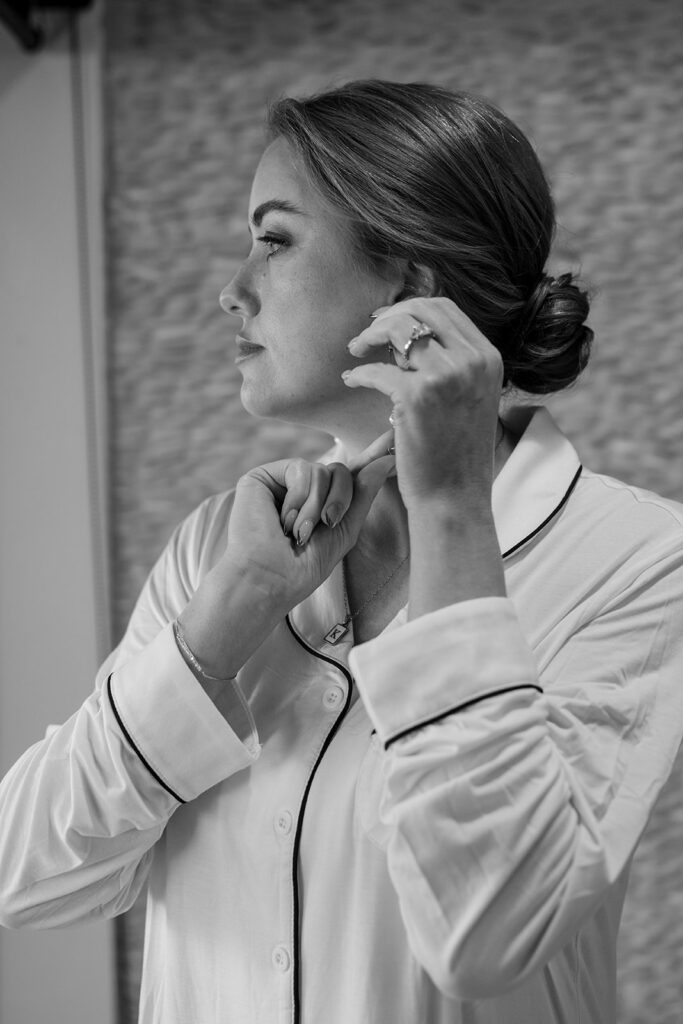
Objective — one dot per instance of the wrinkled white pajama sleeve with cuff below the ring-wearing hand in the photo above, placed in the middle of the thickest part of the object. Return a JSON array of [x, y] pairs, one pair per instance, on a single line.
[[517, 797]]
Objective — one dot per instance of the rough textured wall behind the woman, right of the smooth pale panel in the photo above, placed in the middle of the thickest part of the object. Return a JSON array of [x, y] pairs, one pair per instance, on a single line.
[[597, 84]]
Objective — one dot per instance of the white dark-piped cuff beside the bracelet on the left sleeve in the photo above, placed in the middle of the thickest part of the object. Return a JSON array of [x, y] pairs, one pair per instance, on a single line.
[[174, 726]]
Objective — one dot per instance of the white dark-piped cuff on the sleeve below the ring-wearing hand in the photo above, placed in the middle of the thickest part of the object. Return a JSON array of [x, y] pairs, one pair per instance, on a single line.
[[440, 663]]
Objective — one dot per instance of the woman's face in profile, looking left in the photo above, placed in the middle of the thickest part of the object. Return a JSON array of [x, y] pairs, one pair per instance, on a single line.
[[303, 295]]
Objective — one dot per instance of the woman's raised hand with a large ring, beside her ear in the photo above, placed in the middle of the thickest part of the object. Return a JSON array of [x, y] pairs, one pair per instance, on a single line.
[[446, 402]]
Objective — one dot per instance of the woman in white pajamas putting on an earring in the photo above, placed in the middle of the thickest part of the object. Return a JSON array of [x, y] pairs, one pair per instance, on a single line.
[[382, 735]]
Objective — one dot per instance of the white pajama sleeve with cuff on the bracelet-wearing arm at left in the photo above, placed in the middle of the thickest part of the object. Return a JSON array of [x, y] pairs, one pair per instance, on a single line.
[[82, 810]]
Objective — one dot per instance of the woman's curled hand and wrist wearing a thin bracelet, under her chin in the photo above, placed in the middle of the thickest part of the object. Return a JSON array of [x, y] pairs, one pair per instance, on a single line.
[[281, 548]]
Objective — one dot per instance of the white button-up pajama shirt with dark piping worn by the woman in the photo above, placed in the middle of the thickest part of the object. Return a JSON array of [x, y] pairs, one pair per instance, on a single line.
[[434, 827]]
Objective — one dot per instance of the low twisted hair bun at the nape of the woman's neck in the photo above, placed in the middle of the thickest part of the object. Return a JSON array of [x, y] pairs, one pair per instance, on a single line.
[[552, 344]]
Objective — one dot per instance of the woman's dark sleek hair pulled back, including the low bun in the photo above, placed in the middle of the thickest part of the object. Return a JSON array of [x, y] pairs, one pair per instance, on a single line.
[[445, 181]]
